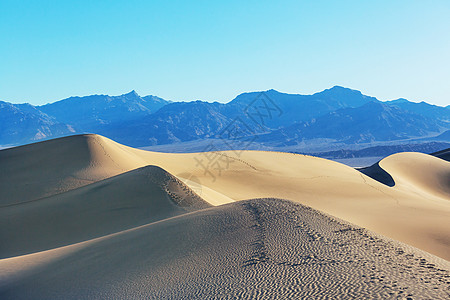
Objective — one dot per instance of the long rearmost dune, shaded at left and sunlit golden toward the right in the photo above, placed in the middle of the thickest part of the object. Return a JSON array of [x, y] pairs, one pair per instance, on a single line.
[[411, 211]]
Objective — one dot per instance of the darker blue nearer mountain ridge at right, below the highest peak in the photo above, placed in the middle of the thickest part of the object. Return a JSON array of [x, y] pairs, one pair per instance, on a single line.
[[373, 121]]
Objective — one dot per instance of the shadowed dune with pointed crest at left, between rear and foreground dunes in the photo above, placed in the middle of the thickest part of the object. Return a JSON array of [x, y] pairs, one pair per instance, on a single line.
[[125, 201]]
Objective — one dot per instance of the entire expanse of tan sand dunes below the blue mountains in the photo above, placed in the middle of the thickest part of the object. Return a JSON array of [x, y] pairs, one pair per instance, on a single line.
[[86, 216]]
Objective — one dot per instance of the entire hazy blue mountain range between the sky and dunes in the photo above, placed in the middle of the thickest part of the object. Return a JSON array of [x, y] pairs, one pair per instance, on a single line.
[[334, 116]]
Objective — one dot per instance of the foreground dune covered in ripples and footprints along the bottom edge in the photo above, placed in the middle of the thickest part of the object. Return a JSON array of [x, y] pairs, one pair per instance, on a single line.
[[257, 249]]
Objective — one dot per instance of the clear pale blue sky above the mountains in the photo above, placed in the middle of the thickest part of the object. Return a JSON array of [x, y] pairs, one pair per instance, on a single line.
[[211, 50]]
